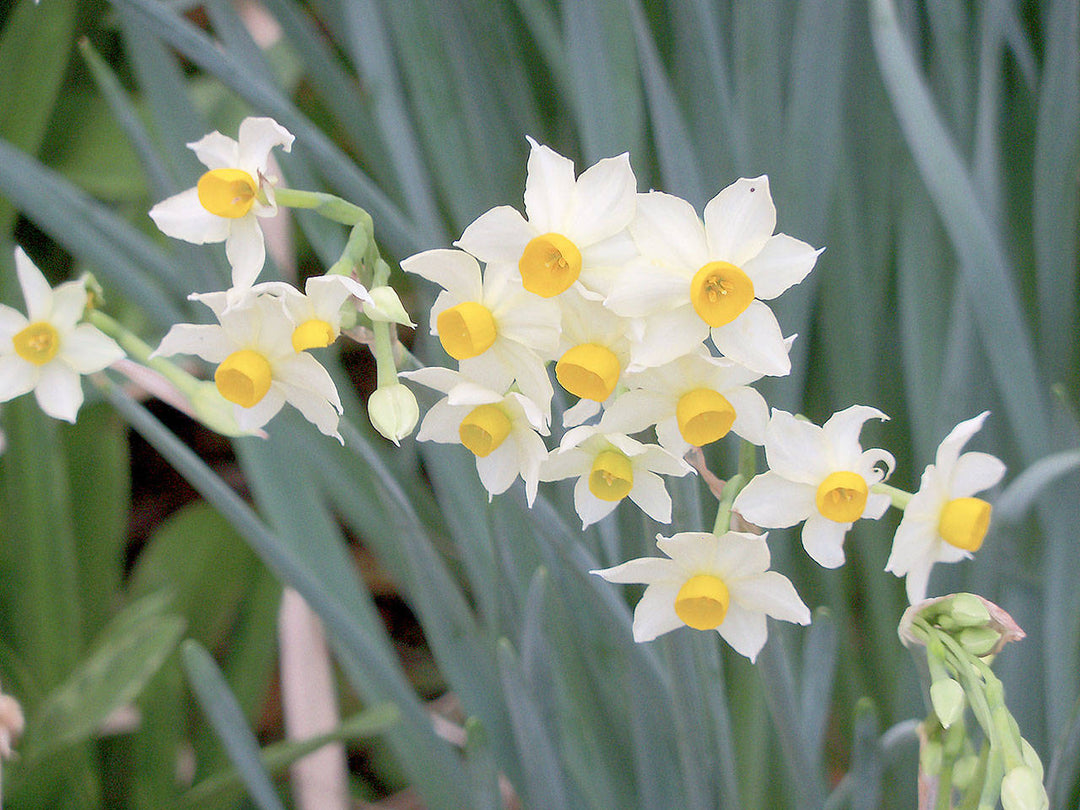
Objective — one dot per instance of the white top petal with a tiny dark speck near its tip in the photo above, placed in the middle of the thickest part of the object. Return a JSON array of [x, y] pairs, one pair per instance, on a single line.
[[740, 220]]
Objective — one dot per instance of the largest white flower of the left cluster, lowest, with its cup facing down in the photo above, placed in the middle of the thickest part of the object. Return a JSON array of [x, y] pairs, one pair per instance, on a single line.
[[259, 368]]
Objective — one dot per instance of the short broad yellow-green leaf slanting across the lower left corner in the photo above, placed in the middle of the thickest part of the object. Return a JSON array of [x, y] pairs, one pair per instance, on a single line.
[[126, 657]]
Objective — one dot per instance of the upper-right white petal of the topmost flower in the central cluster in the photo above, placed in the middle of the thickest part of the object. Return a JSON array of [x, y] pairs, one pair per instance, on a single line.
[[604, 201]]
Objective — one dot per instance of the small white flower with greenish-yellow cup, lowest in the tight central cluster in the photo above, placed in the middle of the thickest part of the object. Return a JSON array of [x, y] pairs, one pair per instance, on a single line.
[[611, 467]]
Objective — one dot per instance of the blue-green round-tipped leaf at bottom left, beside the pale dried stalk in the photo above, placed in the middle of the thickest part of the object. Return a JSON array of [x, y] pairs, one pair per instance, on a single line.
[[222, 710]]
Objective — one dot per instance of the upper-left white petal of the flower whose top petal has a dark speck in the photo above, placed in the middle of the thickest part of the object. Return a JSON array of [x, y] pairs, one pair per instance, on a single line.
[[668, 228]]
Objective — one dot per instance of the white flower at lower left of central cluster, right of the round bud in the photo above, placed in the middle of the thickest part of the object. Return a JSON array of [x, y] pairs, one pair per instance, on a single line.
[[503, 431]]
